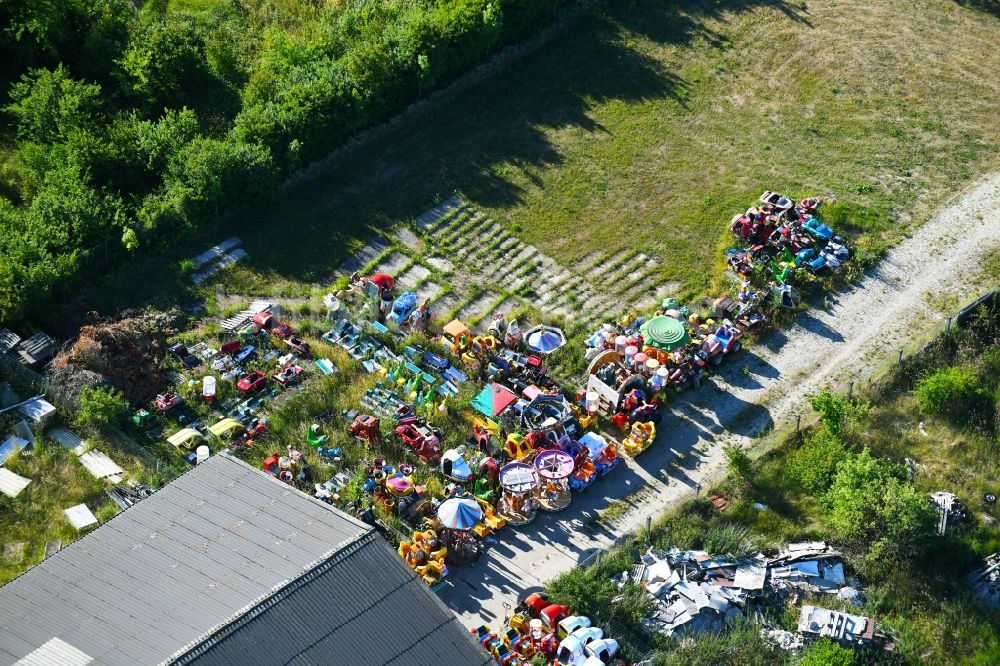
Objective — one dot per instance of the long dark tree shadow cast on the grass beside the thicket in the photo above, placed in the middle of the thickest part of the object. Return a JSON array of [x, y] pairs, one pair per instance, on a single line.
[[469, 143]]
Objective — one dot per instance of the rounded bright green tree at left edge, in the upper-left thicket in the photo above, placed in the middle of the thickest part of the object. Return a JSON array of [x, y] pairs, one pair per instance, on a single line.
[[48, 105]]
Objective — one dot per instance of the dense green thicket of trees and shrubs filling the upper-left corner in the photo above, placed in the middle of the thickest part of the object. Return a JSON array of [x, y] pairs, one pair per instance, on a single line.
[[157, 119]]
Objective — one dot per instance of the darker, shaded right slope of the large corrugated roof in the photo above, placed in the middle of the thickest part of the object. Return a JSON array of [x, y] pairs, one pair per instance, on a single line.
[[363, 606]]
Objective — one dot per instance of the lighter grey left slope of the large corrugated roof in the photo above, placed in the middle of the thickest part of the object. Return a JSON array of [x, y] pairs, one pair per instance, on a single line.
[[174, 568]]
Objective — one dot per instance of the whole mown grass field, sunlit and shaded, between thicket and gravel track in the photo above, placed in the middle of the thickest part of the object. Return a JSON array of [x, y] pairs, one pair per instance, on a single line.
[[646, 125]]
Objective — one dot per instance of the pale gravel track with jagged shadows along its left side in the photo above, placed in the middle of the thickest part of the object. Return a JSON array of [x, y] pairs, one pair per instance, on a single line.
[[758, 391]]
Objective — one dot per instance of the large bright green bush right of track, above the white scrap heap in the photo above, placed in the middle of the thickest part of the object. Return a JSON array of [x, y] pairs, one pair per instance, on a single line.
[[876, 513]]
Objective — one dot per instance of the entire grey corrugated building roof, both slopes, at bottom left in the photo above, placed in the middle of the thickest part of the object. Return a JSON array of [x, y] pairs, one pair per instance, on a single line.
[[227, 563]]
